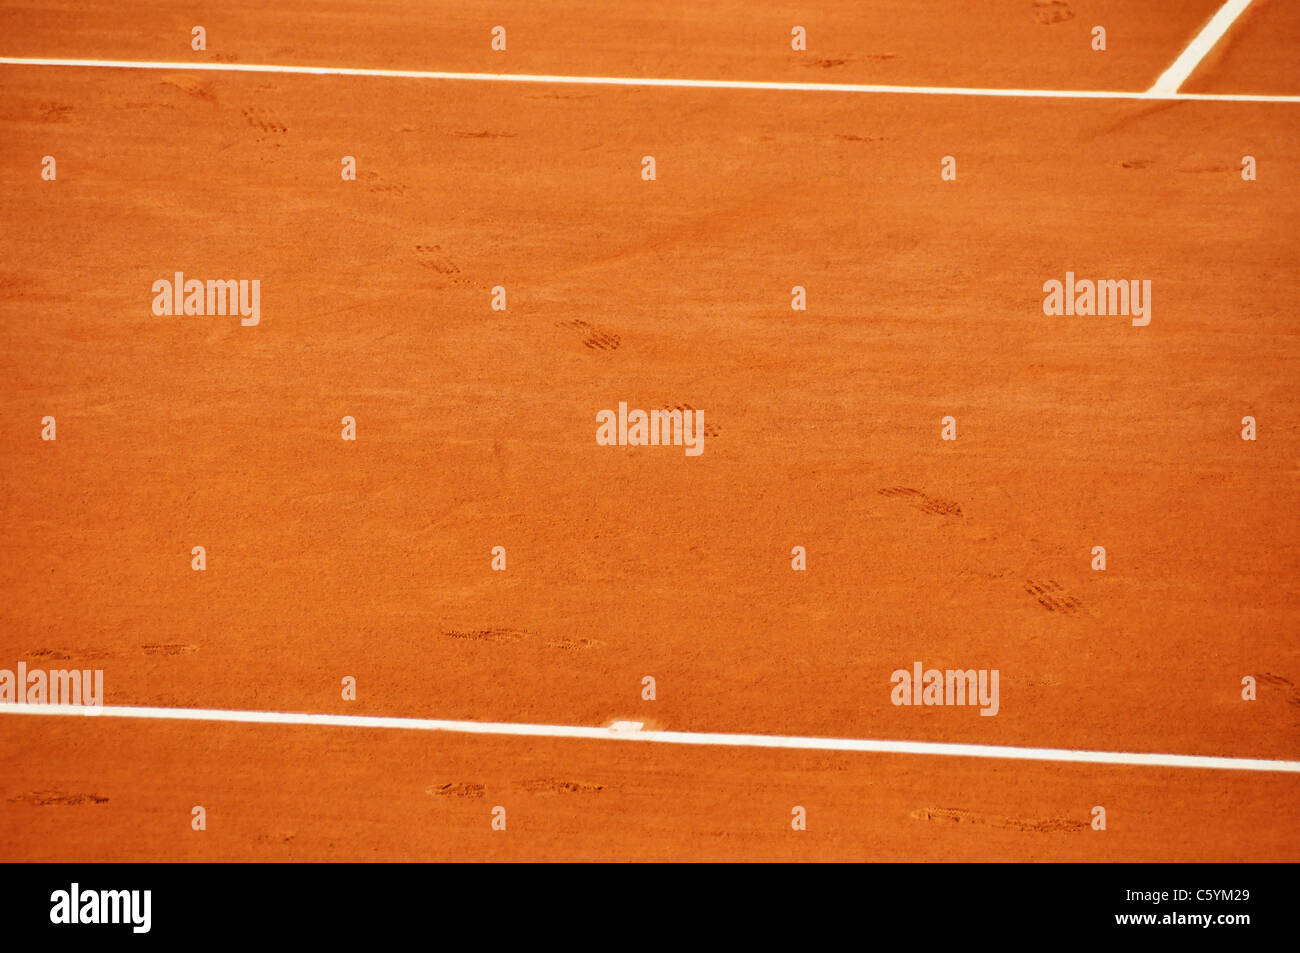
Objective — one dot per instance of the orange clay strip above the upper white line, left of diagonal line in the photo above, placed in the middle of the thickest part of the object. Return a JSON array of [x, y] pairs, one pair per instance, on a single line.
[[1015, 44]]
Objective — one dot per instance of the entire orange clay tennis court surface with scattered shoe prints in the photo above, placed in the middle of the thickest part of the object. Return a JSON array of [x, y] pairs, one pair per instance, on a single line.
[[328, 558]]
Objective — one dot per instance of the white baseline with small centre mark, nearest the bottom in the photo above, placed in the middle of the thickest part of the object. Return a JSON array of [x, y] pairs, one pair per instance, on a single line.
[[668, 738]]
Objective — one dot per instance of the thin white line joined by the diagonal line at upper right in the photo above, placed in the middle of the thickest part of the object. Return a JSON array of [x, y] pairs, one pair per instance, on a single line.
[[647, 81]]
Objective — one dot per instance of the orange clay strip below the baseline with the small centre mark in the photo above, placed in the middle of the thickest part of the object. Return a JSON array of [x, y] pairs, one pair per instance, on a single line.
[[276, 794]]
